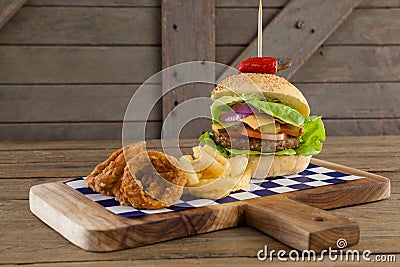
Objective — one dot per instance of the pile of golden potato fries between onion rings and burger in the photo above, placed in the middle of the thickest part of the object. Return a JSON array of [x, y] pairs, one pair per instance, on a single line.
[[211, 175]]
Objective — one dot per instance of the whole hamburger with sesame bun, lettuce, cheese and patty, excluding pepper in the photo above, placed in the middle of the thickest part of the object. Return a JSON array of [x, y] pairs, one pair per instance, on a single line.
[[267, 118]]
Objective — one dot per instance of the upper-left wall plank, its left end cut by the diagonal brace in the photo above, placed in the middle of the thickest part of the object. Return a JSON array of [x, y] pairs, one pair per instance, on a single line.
[[82, 25]]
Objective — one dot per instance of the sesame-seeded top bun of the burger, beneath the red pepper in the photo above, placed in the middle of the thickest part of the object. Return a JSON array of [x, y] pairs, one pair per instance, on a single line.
[[272, 87]]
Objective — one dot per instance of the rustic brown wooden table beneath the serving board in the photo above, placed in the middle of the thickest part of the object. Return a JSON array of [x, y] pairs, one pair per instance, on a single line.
[[26, 240]]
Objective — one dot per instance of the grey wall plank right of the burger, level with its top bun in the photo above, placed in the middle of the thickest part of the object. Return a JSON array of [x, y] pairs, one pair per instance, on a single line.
[[336, 100]]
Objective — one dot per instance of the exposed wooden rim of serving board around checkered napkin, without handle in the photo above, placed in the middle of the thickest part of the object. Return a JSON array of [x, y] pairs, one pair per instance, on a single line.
[[113, 232]]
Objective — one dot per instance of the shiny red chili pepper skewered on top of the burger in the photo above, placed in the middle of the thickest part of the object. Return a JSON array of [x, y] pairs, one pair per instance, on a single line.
[[268, 65]]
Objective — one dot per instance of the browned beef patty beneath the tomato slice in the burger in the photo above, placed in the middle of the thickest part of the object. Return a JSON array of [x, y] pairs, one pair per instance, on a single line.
[[256, 144]]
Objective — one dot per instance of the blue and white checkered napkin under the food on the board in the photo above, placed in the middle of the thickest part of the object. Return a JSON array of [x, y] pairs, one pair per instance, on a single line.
[[313, 176]]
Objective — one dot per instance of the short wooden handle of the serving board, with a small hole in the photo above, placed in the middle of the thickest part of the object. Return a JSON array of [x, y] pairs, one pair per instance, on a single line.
[[301, 226]]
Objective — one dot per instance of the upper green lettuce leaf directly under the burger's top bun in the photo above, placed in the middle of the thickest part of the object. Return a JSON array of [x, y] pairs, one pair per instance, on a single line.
[[278, 110]]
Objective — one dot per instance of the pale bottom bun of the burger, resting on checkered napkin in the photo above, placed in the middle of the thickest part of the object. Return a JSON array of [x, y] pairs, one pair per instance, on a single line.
[[270, 166]]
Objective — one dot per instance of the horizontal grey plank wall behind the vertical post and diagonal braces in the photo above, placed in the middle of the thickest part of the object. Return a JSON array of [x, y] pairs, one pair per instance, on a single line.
[[68, 68]]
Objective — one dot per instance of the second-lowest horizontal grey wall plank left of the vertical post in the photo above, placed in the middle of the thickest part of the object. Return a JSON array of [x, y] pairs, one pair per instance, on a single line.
[[47, 103]]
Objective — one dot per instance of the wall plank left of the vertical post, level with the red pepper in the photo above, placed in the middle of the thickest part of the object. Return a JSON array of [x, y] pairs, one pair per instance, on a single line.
[[77, 64]]
